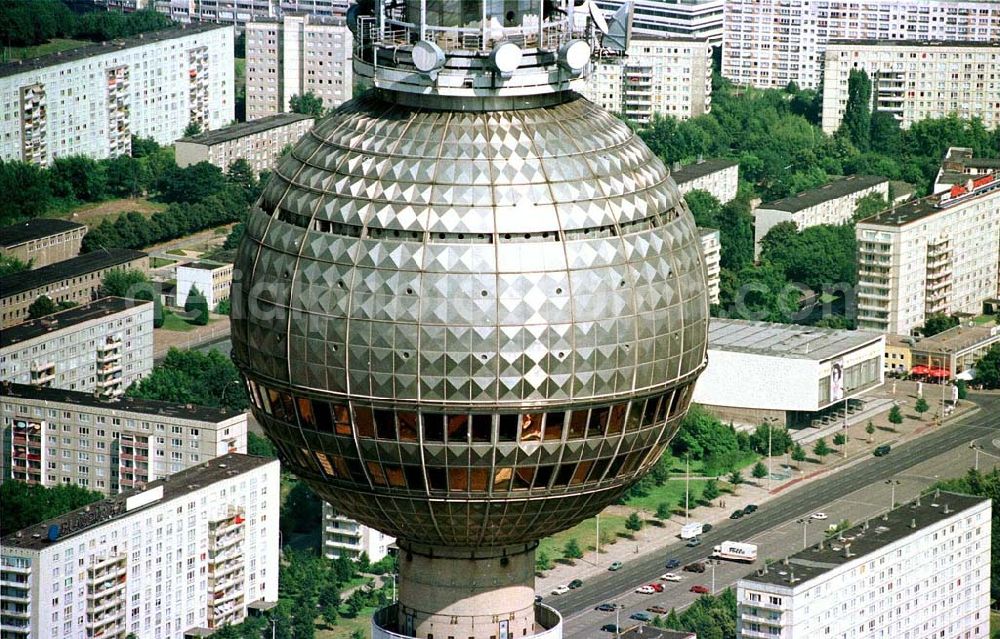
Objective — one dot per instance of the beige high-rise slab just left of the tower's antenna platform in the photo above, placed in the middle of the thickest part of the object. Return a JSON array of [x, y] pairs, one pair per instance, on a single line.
[[296, 55]]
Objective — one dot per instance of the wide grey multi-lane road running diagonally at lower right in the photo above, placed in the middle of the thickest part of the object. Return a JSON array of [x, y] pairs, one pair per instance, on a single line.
[[937, 454]]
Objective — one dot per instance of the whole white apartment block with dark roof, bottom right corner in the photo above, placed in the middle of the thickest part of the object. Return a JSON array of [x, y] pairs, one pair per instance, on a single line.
[[921, 570]]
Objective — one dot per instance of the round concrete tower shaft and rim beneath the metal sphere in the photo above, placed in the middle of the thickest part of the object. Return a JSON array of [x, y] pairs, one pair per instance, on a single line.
[[479, 593]]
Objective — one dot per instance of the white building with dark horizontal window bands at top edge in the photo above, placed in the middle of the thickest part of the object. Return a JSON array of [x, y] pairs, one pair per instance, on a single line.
[[674, 18]]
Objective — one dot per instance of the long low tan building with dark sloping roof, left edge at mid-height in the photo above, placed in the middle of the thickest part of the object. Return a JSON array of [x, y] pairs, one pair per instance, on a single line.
[[74, 280]]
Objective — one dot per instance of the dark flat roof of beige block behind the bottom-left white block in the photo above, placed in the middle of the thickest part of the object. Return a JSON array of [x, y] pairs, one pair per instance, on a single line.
[[130, 404]]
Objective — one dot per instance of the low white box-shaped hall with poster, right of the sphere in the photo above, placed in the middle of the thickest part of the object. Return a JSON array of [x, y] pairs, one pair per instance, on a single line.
[[761, 370]]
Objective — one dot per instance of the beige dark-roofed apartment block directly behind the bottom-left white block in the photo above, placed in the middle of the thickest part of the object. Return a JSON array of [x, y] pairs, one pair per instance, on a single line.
[[52, 436]]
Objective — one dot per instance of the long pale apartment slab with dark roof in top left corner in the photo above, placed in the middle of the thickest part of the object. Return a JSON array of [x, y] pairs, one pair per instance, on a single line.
[[91, 101]]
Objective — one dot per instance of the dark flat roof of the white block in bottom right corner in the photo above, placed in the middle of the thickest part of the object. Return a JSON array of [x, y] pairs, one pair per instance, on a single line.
[[866, 538]]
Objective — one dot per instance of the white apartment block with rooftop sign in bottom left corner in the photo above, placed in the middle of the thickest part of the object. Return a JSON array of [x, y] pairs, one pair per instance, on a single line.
[[183, 557]]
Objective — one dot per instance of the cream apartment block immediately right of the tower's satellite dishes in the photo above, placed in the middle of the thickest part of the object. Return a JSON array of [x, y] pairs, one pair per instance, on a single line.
[[658, 75]]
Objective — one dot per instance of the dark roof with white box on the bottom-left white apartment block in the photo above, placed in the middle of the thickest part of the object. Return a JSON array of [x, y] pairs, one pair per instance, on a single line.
[[99, 513]]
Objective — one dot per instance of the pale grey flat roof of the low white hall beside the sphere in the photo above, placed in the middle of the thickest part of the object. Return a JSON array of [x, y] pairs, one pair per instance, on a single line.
[[785, 340]]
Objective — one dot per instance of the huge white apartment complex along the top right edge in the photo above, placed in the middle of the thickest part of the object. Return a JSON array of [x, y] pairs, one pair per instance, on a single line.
[[768, 43]]
